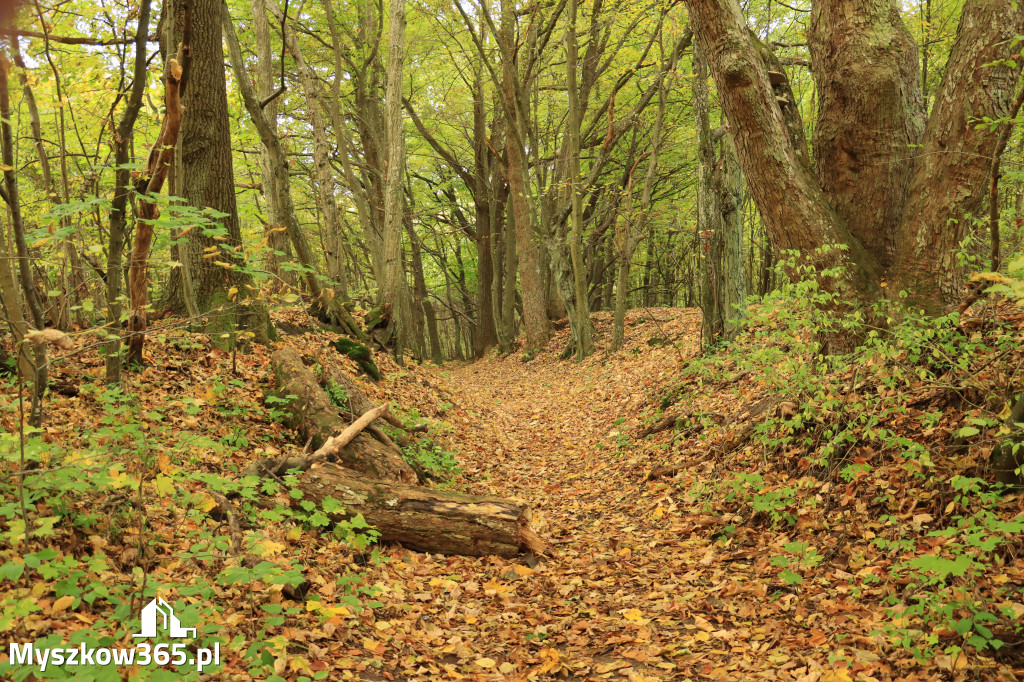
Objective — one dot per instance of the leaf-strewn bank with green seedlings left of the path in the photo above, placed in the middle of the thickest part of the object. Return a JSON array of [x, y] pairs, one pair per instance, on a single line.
[[119, 498]]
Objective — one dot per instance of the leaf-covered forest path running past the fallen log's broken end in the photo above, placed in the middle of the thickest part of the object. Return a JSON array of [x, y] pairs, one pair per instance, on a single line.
[[634, 588]]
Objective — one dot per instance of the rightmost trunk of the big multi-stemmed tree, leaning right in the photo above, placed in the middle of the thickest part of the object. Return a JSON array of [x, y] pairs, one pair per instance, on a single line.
[[949, 183]]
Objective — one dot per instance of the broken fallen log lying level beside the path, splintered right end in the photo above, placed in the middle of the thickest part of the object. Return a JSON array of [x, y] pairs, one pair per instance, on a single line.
[[425, 520]]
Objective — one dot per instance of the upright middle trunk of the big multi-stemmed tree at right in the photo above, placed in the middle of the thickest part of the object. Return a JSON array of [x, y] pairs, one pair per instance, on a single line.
[[870, 115]]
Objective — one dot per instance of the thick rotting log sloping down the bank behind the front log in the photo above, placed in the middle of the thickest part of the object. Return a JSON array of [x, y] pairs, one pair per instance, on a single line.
[[318, 420]]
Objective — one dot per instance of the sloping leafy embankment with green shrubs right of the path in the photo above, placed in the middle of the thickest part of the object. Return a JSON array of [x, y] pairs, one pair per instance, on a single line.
[[871, 467]]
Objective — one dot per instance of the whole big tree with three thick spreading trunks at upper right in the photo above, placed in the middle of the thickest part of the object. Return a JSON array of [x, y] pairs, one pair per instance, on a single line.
[[897, 193]]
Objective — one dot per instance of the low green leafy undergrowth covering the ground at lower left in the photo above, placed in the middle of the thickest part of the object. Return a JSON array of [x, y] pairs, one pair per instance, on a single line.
[[99, 526]]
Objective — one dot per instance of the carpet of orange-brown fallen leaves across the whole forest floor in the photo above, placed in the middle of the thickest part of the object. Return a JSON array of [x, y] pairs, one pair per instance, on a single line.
[[654, 571]]
